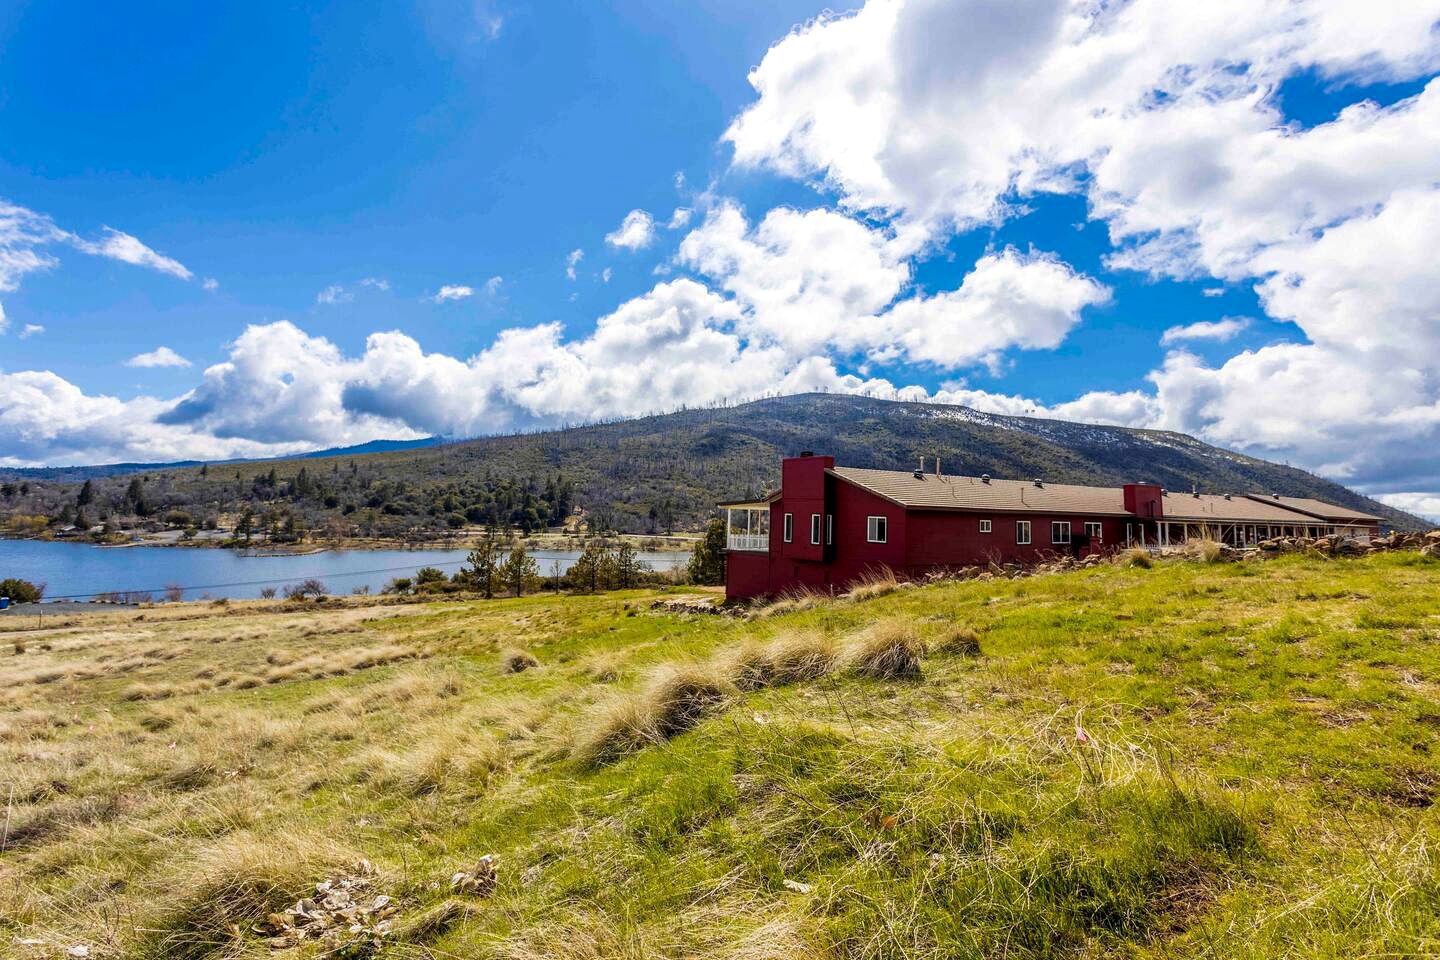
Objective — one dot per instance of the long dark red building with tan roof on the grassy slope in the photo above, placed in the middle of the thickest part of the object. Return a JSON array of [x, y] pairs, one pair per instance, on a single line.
[[829, 526]]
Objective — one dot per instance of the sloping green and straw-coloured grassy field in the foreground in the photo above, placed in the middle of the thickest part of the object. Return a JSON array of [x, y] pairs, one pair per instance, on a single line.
[[1233, 761]]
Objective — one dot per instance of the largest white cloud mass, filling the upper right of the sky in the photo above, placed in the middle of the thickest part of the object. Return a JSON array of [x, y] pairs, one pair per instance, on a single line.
[[938, 116]]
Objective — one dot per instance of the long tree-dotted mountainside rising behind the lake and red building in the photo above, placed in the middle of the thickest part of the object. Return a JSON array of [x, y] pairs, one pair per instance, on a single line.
[[649, 476]]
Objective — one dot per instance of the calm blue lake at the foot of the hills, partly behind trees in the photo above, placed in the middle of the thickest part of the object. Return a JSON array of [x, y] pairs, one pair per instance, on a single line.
[[84, 571]]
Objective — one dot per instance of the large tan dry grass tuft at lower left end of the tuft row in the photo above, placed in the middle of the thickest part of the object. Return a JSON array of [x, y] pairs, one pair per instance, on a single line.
[[676, 700]]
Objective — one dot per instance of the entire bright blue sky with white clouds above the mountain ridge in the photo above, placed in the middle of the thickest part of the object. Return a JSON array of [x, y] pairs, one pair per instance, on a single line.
[[977, 234]]
